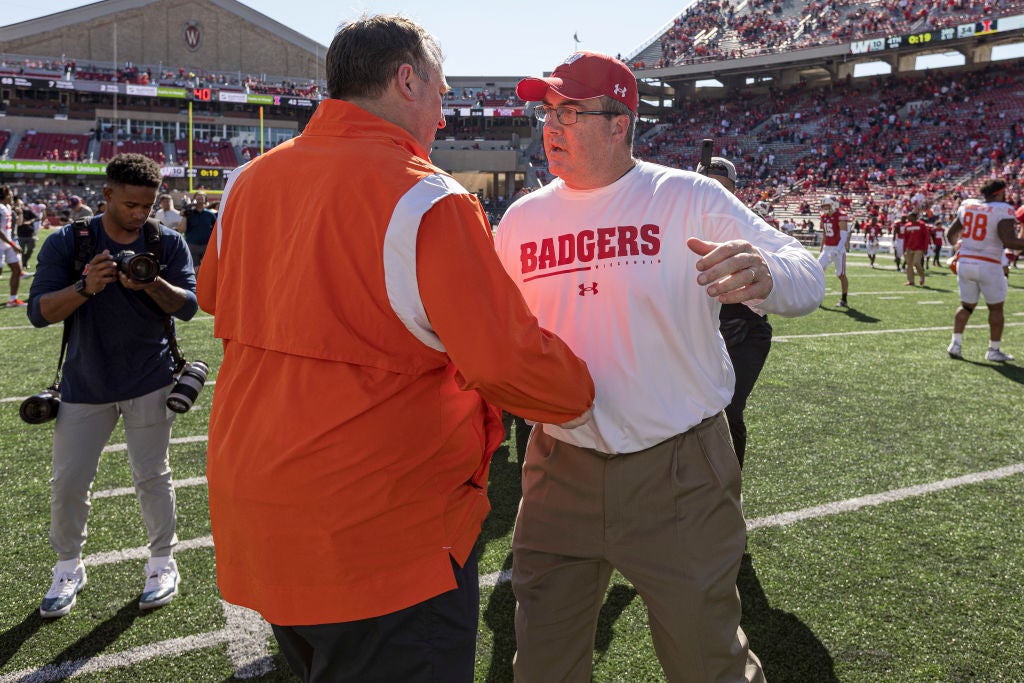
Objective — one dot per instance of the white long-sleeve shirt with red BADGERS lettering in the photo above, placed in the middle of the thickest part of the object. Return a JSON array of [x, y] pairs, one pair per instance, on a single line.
[[609, 271]]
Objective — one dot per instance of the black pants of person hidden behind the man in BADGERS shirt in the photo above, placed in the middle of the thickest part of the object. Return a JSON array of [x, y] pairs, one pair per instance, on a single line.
[[749, 341]]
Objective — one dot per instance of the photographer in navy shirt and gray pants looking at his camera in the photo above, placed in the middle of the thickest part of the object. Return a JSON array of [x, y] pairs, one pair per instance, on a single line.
[[119, 363]]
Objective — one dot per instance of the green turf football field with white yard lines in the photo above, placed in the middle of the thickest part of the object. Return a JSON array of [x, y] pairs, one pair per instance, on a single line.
[[884, 491]]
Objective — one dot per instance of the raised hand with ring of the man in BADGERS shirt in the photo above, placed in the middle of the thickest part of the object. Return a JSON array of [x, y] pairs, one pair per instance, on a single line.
[[733, 272]]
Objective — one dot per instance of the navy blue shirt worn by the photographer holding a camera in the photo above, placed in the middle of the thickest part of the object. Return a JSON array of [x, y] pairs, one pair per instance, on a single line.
[[118, 348]]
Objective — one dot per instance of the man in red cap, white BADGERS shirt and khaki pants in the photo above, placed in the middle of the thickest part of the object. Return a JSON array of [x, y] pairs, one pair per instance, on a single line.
[[629, 263]]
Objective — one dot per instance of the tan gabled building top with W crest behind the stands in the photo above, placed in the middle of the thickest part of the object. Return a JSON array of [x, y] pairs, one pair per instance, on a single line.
[[215, 35]]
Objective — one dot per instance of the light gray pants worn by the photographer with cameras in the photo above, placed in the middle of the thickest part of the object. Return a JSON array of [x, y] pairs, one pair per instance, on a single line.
[[81, 433]]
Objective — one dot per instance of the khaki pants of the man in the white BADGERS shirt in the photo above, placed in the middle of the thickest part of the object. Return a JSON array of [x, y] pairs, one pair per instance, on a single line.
[[668, 519]]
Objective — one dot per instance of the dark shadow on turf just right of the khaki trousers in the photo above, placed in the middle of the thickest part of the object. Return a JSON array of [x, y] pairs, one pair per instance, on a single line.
[[788, 649]]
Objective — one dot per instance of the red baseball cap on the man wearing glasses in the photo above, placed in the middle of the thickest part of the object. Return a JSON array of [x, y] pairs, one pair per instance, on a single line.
[[583, 76]]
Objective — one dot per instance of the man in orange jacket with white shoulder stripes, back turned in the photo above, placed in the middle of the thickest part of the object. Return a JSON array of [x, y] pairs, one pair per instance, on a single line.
[[359, 400]]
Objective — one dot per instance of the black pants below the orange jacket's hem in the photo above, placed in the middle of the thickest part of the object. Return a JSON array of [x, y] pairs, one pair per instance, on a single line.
[[431, 643]]
